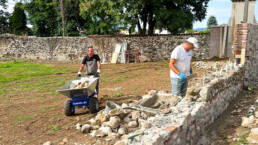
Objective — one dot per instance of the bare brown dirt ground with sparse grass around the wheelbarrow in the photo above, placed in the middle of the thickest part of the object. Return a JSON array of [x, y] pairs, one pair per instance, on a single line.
[[31, 112]]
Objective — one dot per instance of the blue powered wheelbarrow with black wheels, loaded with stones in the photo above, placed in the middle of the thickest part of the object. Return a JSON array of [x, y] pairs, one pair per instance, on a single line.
[[80, 95]]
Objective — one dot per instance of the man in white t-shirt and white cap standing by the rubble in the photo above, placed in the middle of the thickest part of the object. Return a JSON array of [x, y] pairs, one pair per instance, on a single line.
[[180, 66]]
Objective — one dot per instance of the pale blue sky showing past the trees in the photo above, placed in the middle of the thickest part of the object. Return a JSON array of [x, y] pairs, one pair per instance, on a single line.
[[221, 9]]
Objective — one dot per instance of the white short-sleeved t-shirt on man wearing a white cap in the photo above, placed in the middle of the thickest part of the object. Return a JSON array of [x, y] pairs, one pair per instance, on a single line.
[[183, 61]]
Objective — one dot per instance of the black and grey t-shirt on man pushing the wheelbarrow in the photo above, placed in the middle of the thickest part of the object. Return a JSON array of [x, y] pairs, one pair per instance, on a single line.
[[91, 64]]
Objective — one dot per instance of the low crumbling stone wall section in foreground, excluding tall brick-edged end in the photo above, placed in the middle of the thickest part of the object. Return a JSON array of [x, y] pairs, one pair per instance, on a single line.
[[188, 119]]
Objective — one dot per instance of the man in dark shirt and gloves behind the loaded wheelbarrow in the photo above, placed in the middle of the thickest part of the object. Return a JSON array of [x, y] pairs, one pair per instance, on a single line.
[[93, 65]]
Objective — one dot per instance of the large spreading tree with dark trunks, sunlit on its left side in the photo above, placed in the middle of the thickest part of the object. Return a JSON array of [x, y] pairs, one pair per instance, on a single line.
[[145, 16]]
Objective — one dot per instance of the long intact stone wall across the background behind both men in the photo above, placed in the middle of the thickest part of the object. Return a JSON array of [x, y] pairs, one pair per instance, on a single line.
[[151, 48]]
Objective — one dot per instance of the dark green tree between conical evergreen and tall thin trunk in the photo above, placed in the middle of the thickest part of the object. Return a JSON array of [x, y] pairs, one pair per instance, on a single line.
[[45, 18]]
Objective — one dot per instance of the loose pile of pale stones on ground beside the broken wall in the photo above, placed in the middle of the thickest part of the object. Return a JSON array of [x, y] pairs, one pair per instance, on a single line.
[[115, 120]]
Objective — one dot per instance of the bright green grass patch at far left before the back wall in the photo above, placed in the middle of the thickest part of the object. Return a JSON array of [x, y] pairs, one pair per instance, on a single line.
[[21, 70]]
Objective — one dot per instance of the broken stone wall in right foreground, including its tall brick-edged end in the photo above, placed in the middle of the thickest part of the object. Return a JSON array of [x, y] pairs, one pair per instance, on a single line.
[[189, 118]]
